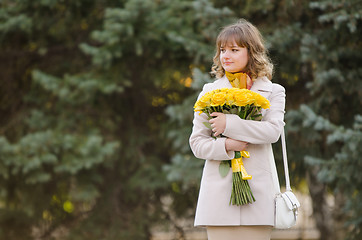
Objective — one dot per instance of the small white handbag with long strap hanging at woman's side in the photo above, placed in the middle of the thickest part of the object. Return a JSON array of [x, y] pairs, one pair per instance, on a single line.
[[286, 204]]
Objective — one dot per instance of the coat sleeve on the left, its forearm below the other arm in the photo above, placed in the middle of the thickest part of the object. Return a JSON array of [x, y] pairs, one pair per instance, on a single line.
[[202, 144]]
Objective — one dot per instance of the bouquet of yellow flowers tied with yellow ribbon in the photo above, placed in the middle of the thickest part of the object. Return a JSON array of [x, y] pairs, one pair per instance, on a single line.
[[247, 105]]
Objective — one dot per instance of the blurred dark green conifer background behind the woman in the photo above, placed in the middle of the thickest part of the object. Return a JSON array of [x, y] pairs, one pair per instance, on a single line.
[[96, 107]]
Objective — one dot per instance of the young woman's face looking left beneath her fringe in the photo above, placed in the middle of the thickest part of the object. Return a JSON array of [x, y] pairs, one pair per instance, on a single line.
[[233, 58]]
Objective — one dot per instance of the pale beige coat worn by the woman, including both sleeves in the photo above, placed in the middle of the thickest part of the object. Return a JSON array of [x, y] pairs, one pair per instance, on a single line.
[[213, 207]]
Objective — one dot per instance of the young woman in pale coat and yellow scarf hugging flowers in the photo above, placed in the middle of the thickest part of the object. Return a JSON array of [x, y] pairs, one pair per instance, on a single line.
[[239, 49]]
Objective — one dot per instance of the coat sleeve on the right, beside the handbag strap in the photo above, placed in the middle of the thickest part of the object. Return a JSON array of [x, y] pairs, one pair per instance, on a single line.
[[260, 132]]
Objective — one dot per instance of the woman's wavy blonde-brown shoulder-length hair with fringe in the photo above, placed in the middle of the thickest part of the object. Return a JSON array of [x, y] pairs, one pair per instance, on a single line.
[[245, 35]]
